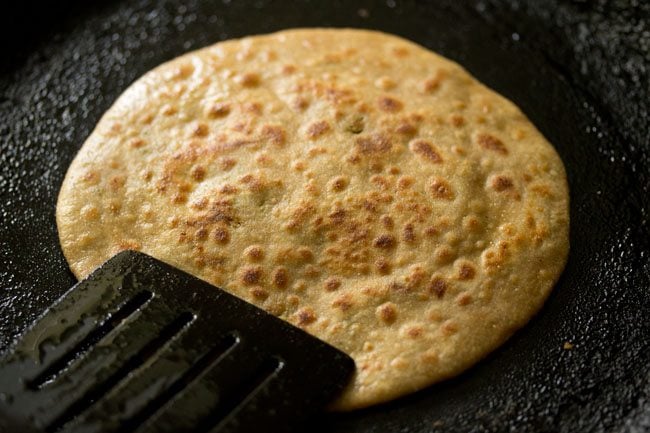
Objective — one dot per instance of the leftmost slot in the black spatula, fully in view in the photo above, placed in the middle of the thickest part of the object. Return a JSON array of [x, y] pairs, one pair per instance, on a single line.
[[112, 322]]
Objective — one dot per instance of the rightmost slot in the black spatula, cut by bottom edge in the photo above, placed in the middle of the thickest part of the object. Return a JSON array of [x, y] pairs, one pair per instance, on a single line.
[[249, 386]]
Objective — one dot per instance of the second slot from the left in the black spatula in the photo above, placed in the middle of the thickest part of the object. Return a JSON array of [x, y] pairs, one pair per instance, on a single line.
[[98, 391]]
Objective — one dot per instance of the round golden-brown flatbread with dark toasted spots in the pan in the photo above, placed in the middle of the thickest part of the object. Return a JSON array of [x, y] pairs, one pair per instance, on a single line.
[[350, 182]]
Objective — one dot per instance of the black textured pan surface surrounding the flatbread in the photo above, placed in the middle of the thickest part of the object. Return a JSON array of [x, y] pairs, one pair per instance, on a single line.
[[578, 69]]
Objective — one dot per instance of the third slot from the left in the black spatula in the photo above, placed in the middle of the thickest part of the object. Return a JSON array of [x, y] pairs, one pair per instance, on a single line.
[[221, 349]]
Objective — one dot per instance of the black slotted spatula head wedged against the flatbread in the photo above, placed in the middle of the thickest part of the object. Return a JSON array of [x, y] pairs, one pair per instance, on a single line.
[[141, 346]]
